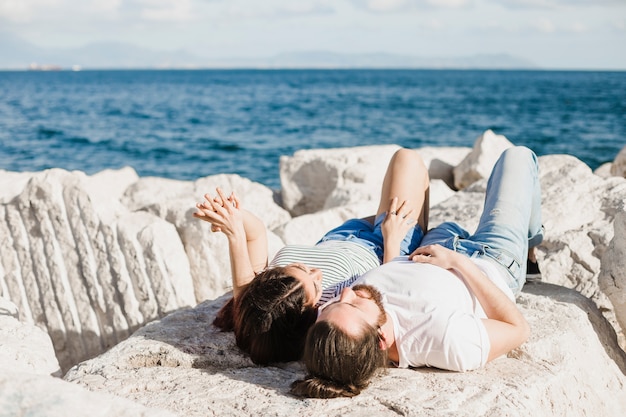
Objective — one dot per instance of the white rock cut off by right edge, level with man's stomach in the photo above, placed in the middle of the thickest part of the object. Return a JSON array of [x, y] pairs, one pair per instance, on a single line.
[[612, 279]]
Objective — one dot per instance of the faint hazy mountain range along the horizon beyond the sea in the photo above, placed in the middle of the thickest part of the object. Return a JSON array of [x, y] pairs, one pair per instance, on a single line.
[[16, 53]]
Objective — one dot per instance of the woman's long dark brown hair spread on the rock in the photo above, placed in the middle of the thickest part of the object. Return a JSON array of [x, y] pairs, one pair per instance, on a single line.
[[270, 317]]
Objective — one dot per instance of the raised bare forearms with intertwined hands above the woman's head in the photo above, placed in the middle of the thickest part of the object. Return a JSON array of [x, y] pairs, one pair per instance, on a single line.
[[246, 234]]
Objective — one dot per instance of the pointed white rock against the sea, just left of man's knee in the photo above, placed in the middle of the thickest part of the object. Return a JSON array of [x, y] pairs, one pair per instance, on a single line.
[[480, 161]]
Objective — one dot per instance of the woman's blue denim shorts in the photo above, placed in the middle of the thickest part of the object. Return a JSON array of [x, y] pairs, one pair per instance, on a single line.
[[371, 236]]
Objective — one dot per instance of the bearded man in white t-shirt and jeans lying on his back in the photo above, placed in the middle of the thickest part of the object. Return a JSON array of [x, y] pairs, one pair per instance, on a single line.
[[450, 304]]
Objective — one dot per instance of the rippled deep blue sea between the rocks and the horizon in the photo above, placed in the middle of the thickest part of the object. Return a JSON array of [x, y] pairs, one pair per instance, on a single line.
[[189, 124]]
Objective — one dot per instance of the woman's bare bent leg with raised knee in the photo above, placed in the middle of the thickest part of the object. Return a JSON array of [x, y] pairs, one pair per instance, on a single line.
[[407, 179]]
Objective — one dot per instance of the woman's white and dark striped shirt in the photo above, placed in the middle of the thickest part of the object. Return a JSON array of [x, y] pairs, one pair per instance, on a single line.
[[340, 261]]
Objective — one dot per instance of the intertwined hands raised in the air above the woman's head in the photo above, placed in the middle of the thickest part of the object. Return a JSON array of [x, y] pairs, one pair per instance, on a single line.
[[222, 212]]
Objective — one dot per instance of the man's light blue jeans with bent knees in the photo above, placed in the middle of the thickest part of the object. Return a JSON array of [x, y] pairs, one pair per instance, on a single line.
[[511, 219]]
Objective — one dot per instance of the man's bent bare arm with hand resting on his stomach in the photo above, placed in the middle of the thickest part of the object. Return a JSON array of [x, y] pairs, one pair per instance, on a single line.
[[506, 326]]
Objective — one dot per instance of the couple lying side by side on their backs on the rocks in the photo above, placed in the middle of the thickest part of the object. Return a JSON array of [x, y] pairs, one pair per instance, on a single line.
[[379, 291]]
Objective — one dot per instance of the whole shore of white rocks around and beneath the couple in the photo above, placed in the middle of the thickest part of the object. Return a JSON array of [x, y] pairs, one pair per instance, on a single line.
[[108, 287]]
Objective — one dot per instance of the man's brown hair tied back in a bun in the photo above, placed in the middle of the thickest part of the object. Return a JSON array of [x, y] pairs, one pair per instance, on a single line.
[[339, 365]]
